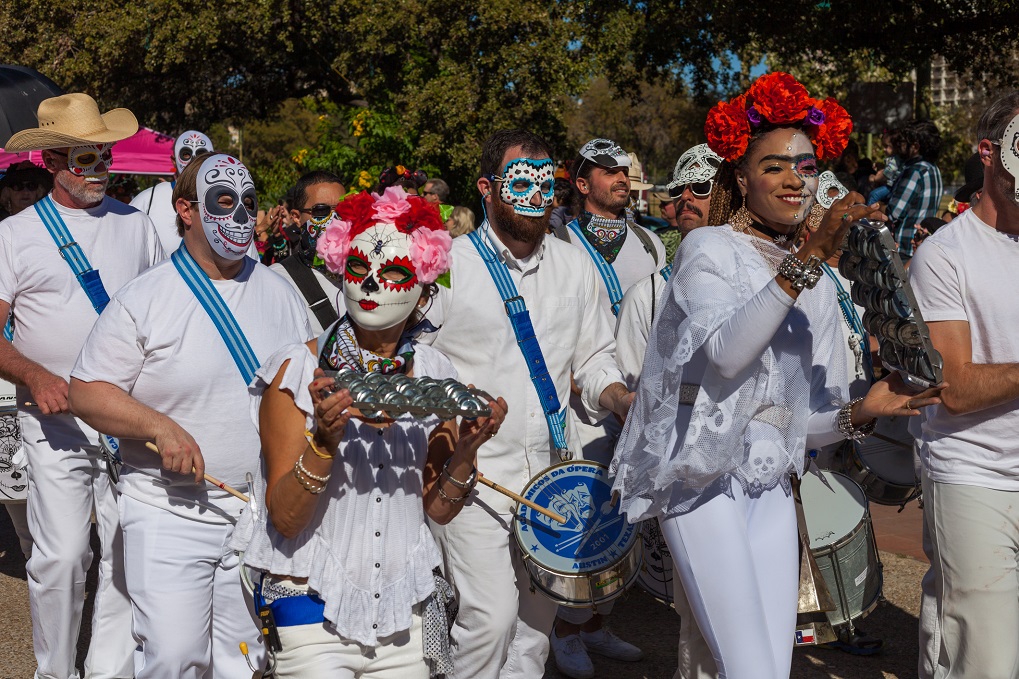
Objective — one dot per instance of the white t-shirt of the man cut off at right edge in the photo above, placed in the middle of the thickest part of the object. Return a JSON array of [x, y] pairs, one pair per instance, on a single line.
[[967, 273]]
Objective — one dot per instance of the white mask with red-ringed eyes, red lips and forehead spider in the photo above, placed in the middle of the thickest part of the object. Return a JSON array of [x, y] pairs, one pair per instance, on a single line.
[[382, 287]]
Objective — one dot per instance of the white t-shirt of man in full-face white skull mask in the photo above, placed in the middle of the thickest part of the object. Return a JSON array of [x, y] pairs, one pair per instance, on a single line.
[[158, 344]]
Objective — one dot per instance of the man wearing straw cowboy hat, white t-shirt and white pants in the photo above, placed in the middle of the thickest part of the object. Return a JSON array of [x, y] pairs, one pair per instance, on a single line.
[[60, 263]]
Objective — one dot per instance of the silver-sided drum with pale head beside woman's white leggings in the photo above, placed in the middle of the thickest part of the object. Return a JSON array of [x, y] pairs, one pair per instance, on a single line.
[[842, 541]]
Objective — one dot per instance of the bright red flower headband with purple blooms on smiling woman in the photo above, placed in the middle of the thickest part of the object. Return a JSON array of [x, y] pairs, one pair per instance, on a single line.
[[777, 99]]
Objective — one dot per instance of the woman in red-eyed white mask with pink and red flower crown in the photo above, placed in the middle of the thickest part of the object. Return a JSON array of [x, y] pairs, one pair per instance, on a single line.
[[346, 494]]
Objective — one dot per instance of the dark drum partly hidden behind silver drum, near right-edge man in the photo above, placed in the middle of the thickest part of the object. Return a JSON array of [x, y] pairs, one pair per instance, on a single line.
[[884, 469]]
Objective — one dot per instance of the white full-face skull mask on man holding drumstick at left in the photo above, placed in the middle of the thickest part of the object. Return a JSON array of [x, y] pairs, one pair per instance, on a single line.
[[230, 230]]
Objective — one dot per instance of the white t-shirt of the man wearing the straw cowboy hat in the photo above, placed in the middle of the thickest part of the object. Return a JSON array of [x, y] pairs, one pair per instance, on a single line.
[[52, 314]]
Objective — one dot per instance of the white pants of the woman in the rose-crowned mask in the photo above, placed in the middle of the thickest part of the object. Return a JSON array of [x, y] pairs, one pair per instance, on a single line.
[[317, 652]]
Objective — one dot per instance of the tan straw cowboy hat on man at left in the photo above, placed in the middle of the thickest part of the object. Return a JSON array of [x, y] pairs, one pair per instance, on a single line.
[[74, 120]]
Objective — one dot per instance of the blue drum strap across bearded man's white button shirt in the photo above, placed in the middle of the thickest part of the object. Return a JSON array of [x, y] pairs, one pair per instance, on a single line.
[[520, 320]]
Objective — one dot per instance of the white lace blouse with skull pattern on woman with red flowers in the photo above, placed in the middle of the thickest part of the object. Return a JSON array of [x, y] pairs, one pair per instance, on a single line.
[[771, 372]]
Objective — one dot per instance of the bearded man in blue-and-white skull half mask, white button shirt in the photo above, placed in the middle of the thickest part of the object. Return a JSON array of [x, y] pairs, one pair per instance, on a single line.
[[503, 626]]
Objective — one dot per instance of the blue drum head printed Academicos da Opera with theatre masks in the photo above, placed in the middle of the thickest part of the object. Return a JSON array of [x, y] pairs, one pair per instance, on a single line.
[[596, 535]]
